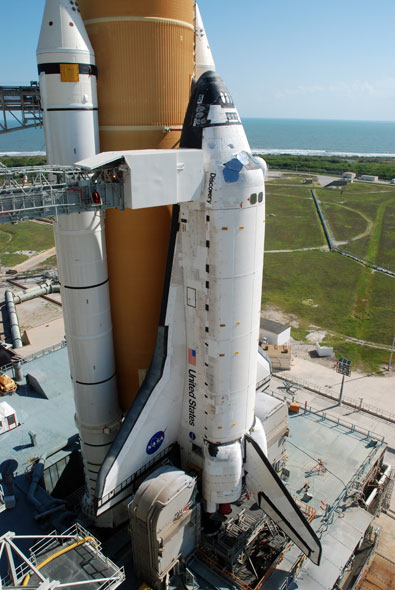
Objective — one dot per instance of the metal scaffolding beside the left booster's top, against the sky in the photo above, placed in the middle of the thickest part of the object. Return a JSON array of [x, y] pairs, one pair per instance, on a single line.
[[20, 105]]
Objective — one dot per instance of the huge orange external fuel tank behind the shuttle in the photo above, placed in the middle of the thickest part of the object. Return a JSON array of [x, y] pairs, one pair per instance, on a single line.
[[145, 58]]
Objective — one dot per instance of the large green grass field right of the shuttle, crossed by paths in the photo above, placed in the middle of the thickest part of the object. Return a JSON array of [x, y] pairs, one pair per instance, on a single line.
[[324, 289]]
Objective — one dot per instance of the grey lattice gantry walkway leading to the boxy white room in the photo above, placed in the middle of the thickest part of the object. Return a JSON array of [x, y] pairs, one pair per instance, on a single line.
[[48, 191]]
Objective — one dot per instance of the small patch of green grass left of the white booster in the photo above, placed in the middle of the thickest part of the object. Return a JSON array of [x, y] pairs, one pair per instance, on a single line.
[[21, 237]]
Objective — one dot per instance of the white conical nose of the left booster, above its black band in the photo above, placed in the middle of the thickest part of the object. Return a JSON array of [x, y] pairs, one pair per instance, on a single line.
[[63, 36]]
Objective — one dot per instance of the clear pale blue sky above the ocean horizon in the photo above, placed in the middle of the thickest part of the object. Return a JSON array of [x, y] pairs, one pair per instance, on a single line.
[[328, 59]]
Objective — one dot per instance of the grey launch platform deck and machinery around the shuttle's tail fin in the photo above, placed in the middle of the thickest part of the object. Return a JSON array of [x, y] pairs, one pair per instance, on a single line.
[[327, 470]]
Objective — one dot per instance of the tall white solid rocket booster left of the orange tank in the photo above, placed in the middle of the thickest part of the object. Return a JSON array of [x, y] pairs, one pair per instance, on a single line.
[[67, 70]]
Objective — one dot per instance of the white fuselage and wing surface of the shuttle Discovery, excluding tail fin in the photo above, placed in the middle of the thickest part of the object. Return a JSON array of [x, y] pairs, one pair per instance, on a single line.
[[217, 398]]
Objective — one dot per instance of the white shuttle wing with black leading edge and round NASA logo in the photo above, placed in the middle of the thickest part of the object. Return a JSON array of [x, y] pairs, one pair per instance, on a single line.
[[152, 423]]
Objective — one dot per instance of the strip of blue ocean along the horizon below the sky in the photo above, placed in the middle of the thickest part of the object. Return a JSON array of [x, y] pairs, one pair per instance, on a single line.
[[271, 136]]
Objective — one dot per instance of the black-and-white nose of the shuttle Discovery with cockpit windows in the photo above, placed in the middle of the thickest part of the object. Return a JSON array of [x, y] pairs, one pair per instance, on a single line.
[[210, 105]]
